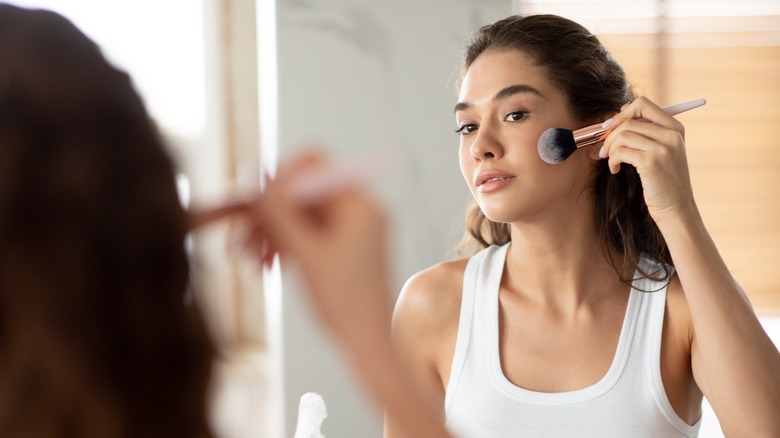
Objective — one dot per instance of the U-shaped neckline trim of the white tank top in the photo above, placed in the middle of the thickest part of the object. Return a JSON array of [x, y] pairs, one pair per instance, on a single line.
[[578, 395]]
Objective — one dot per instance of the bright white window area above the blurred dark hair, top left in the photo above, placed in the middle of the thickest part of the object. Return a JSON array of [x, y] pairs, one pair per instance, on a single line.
[[159, 43]]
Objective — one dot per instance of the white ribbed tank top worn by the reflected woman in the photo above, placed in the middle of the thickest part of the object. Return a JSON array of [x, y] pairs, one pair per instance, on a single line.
[[629, 401]]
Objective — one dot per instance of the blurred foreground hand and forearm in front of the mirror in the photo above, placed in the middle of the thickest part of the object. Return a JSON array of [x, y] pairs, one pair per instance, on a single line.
[[339, 246]]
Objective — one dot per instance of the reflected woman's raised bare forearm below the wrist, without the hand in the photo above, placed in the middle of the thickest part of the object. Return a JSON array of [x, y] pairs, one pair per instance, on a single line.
[[734, 362]]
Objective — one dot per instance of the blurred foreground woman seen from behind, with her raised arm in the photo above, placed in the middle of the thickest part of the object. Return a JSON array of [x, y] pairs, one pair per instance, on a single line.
[[96, 336]]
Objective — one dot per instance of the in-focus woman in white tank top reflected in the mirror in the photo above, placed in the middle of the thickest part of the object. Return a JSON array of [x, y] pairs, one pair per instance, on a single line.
[[599, 305]]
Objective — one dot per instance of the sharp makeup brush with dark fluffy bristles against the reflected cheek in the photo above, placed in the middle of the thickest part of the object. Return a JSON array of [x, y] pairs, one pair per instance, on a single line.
[[556, 144]]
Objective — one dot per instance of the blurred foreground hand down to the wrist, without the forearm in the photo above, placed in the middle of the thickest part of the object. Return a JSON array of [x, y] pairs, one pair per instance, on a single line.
[[339, 245]]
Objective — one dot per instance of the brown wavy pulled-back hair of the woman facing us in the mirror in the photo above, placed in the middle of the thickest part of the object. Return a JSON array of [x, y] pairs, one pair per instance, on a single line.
[[595, 85]]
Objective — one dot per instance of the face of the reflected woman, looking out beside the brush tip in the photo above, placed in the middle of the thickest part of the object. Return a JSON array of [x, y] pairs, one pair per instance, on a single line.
[[505, 103]]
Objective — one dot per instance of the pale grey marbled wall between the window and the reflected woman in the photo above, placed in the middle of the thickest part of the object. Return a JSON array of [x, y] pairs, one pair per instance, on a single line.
[[354, 76]]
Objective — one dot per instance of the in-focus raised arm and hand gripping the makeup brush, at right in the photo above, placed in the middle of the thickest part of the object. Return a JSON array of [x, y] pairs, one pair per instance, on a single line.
[[734, 362]]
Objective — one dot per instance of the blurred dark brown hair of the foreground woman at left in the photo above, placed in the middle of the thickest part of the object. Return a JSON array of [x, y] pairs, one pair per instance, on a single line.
[[95, 337]]
